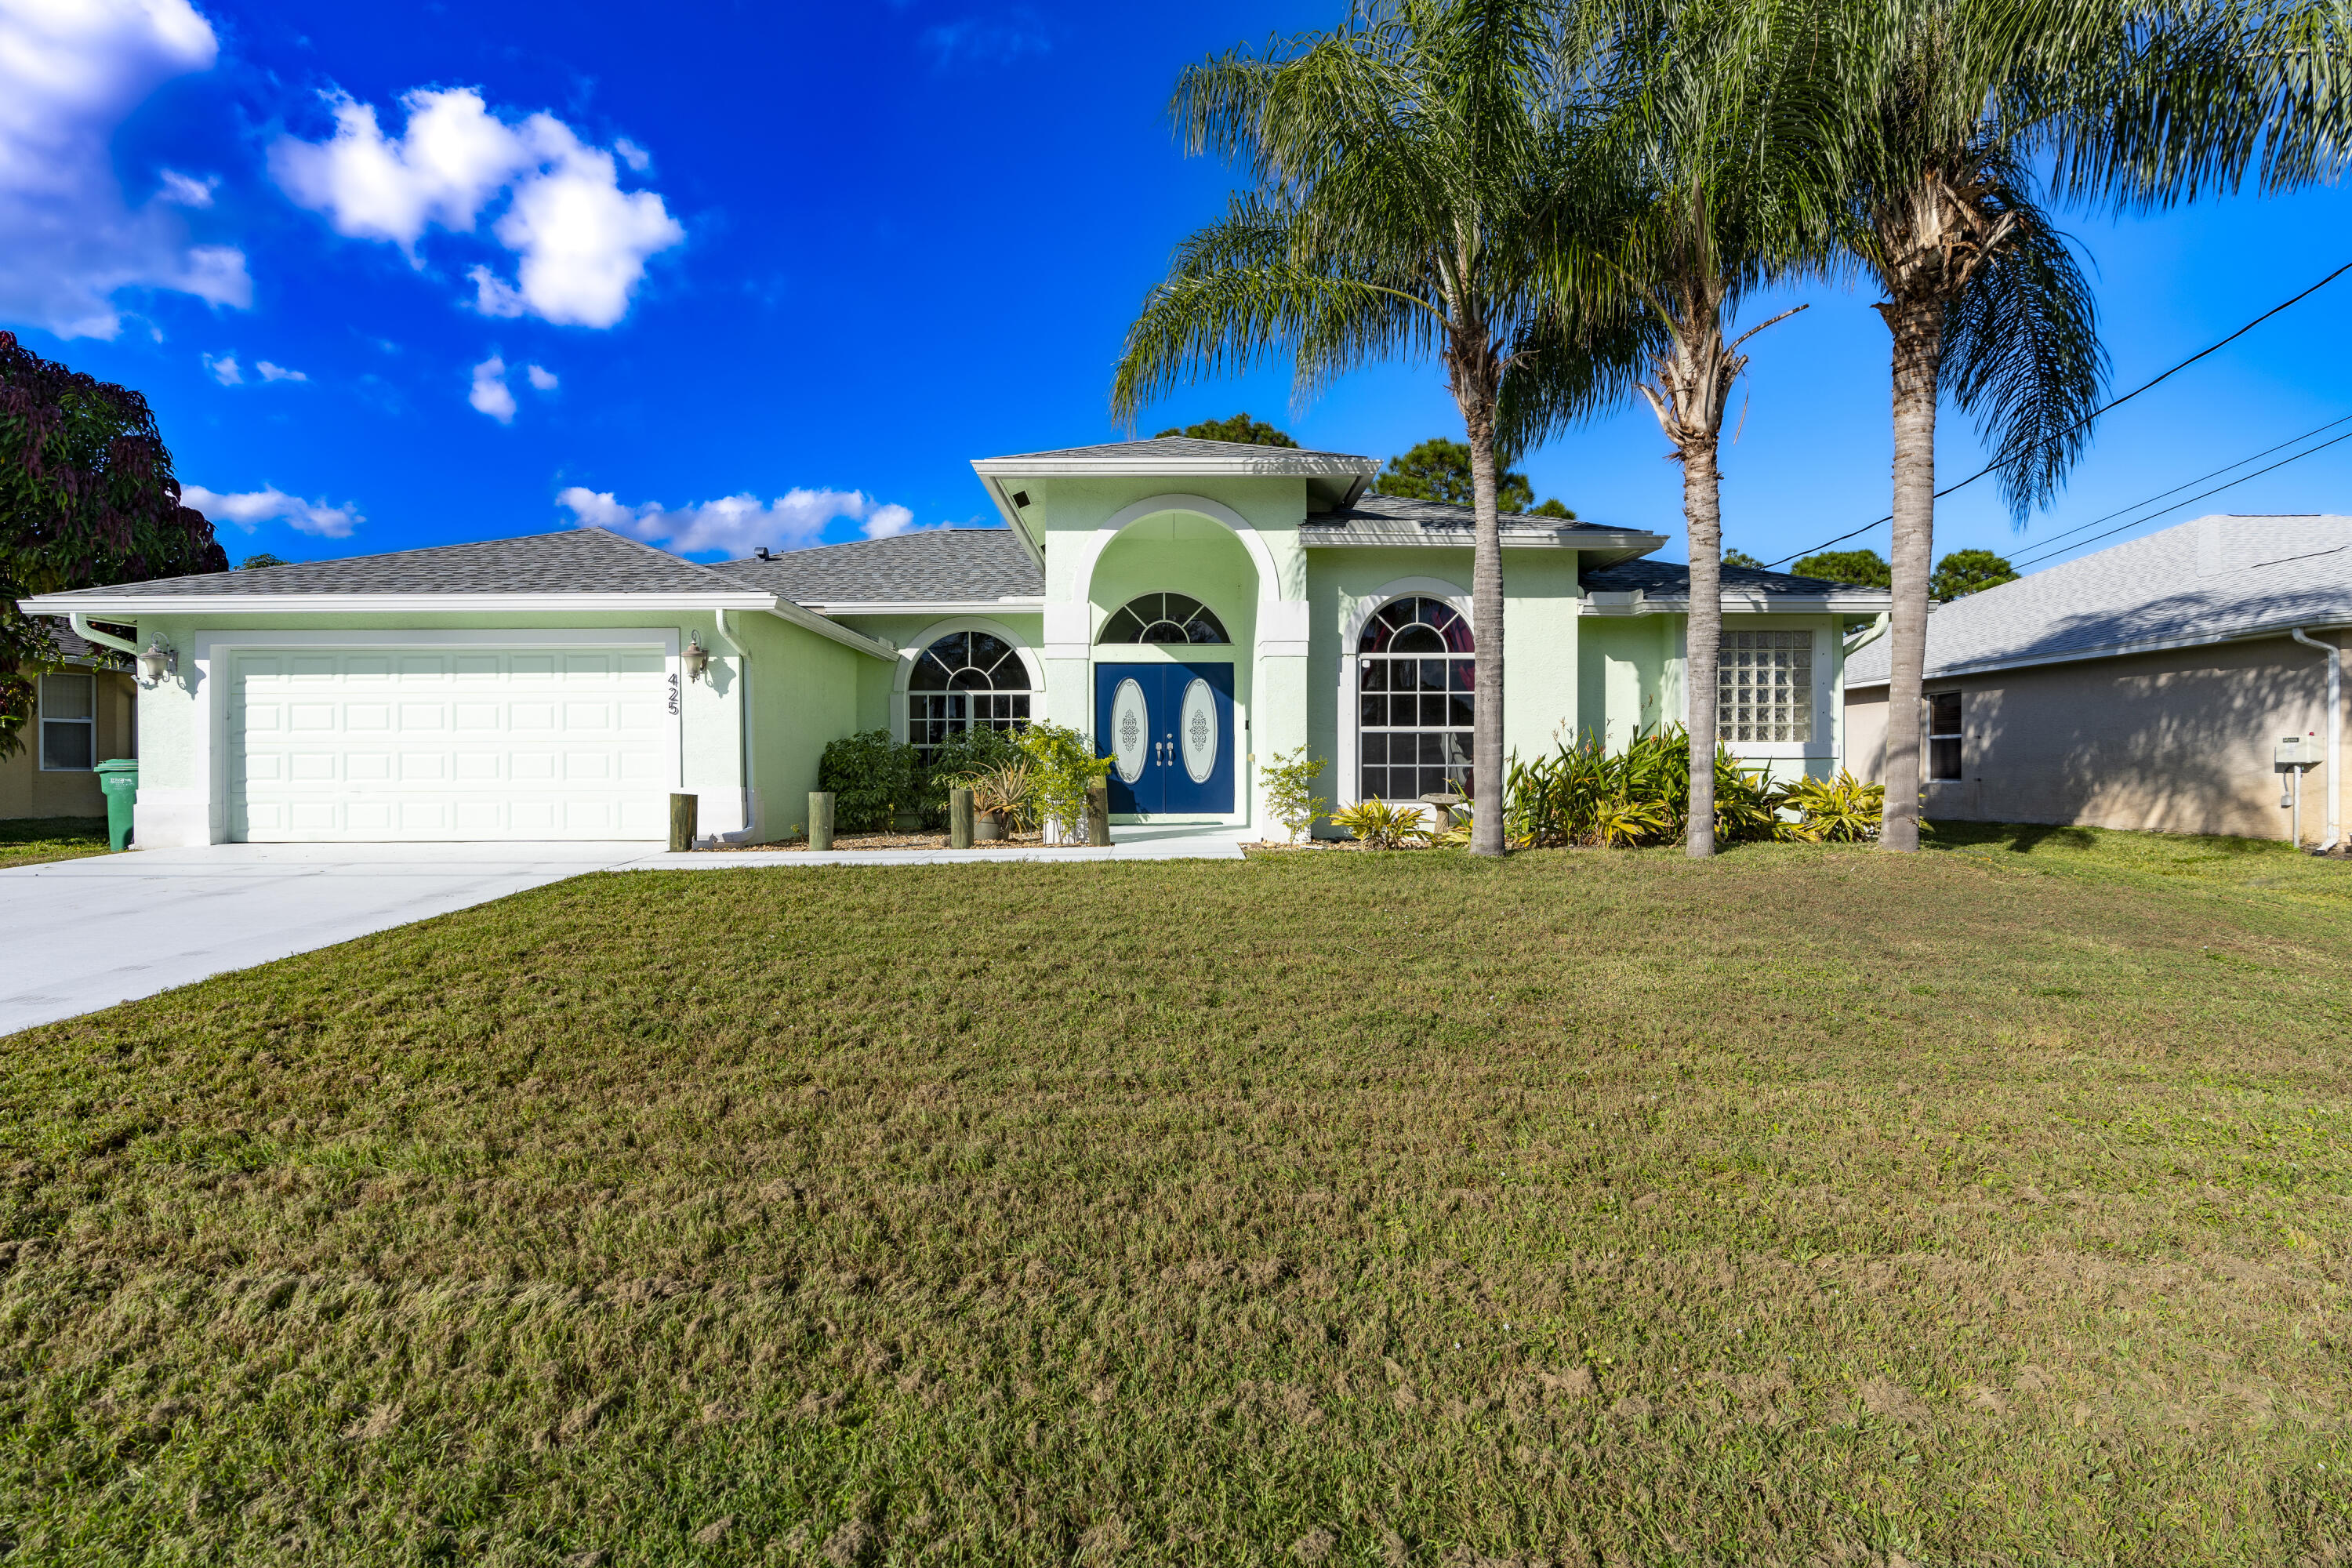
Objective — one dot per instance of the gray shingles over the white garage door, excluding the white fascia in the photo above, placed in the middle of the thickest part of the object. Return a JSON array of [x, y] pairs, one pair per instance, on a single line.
[[575, 561]]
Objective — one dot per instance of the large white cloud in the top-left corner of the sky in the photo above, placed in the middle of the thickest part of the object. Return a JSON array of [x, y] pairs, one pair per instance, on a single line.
[[69, 74]]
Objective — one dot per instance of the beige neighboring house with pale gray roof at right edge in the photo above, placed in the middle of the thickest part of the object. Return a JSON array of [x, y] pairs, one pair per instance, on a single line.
[[2139, 688]]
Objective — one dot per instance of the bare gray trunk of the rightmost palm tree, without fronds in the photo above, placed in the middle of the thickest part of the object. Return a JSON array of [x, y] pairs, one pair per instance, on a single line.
[[1918, 356]]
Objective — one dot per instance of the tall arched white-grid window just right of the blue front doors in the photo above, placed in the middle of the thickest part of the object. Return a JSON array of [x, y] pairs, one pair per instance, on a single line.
[[1415, 685]]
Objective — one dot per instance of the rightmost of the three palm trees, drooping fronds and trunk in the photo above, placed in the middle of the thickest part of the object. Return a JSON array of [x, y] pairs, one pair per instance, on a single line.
[[1953, 107]]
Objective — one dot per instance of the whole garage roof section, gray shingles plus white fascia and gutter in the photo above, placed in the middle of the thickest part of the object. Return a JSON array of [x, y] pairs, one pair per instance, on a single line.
[[575, 570]]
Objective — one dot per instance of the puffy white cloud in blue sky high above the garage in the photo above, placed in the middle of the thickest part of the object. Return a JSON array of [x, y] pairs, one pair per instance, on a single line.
[[580, 236]]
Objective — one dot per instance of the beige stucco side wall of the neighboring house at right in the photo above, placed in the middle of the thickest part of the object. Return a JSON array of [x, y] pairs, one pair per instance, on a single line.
[[2174, 742]]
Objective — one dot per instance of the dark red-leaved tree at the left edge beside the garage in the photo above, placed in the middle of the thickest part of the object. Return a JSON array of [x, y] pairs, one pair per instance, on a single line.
[[86, 497]]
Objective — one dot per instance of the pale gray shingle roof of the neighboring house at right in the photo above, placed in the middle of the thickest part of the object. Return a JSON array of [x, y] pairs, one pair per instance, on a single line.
[[2198, 582]]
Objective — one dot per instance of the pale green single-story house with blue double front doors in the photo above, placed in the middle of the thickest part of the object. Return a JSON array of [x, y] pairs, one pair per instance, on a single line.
[[1191, 605]]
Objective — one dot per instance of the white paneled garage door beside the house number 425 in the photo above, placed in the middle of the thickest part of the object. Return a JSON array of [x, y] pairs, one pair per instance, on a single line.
[[417, 744]]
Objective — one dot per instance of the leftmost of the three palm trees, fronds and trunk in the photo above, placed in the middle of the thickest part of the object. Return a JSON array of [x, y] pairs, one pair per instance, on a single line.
[[1401, 206]]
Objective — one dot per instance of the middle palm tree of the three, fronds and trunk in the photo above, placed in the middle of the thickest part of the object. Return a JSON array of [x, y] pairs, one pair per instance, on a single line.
[[1720, 145]]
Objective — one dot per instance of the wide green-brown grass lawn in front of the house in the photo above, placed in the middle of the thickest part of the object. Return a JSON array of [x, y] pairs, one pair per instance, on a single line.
[[1986, 1207]]
